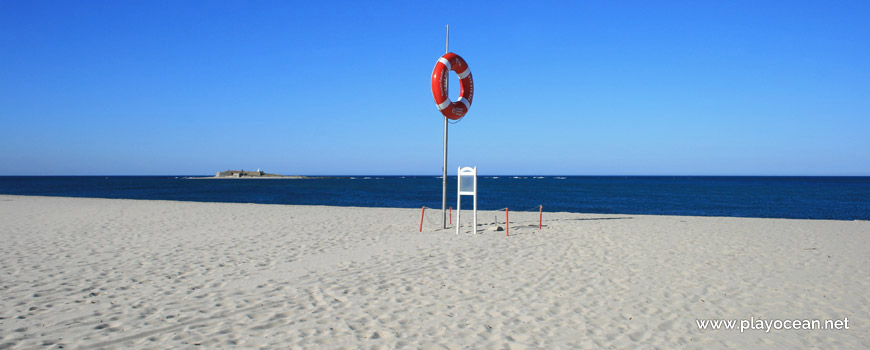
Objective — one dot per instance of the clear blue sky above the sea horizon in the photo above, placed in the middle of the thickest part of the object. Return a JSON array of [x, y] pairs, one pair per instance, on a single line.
[[332, 87]]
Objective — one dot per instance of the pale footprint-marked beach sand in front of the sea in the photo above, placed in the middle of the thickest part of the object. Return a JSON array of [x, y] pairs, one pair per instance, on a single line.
[[103, 273]]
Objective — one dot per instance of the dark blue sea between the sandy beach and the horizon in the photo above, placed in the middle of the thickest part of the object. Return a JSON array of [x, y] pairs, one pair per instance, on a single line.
[[838, 198]]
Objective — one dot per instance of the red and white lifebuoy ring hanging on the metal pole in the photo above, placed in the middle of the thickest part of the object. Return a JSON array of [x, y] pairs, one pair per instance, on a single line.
[[452, 62]]
